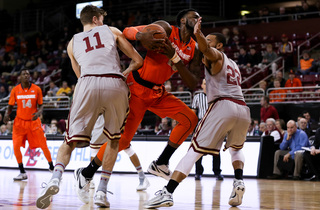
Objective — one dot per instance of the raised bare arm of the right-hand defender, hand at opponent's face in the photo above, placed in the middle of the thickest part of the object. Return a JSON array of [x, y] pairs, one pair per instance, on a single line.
[[211, 54]]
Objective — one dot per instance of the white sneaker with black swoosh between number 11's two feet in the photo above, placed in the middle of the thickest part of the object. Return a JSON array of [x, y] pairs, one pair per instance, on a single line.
[[81, 186]]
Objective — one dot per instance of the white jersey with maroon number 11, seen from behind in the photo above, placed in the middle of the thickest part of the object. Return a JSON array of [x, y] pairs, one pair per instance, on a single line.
[[96, 51]]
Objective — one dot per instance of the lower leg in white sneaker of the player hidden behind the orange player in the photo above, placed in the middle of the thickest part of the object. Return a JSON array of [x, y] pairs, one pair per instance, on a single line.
[[143, 181]]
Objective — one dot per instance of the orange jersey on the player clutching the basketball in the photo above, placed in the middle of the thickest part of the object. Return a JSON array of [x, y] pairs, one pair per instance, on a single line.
[[157, 68]]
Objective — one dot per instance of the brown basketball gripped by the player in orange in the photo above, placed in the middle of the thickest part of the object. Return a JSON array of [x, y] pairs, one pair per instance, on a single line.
[[148, 41]]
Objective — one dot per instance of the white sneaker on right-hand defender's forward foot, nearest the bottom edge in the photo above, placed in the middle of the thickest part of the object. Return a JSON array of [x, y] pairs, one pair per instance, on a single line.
[[163, 199]]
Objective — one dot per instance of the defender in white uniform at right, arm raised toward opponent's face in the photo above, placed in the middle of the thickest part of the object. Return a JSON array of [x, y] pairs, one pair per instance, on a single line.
[[227, 116]]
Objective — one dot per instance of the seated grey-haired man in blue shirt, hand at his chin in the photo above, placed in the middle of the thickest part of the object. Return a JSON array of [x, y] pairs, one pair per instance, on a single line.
[[294, 139]]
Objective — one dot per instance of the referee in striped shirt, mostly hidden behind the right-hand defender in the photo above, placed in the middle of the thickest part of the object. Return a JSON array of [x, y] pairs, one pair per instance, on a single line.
[[200, 106]]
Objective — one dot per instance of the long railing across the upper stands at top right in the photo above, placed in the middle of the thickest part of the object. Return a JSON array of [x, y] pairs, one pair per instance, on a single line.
[[267, 18]]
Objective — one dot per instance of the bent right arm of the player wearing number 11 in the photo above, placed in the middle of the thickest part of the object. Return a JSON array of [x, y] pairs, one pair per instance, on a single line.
[[126, 47]]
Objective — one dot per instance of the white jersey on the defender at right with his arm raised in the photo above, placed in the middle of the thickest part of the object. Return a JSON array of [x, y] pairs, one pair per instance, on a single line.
[[226, 83]]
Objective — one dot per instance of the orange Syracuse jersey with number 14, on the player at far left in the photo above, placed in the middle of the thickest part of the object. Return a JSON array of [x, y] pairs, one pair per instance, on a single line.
[[26, 99]]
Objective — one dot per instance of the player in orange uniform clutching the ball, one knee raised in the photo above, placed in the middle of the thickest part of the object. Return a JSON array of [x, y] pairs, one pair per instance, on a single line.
[[148, 92]]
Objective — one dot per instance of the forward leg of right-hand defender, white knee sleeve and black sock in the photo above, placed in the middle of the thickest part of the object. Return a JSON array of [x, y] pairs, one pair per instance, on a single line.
[[164, 198]]
